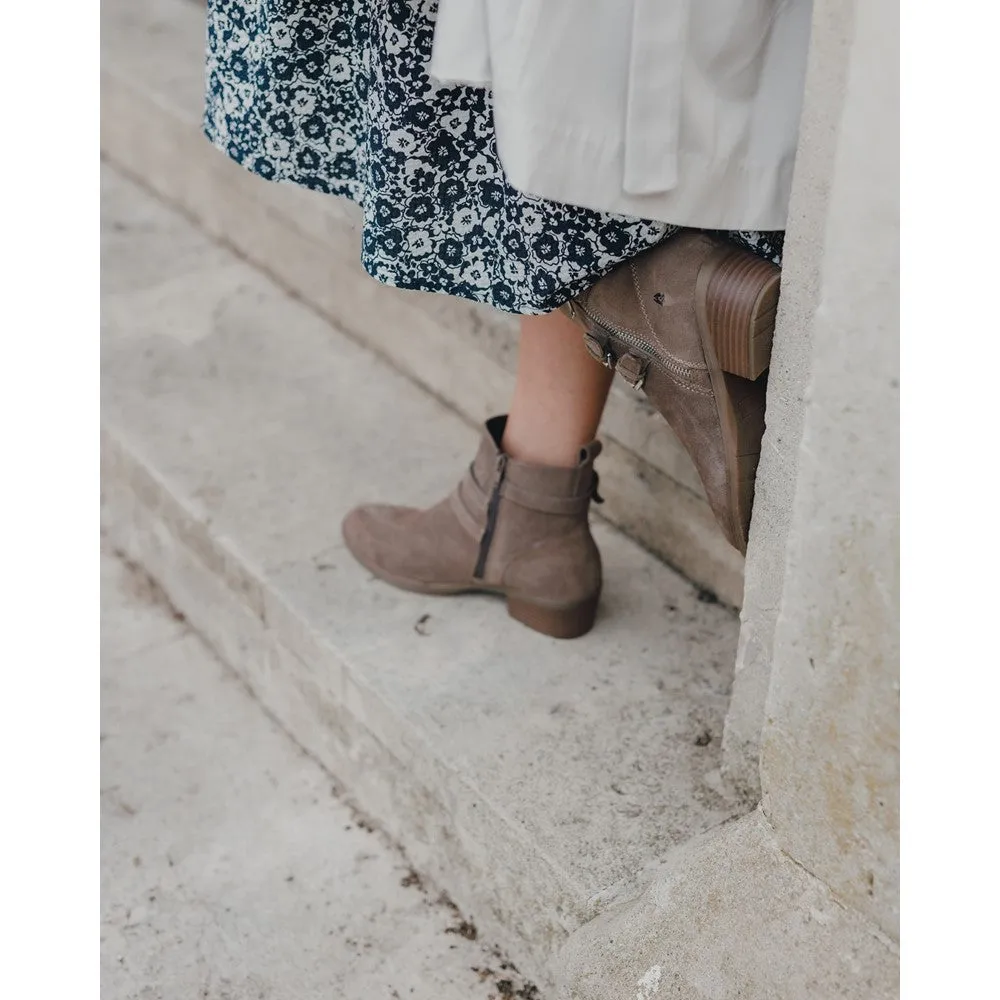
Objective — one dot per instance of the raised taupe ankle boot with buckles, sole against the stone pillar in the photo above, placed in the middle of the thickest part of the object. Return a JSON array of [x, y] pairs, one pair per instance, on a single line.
[[690, 323]]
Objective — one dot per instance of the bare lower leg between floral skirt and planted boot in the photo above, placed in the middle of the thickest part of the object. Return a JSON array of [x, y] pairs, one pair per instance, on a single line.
[[559, 395]]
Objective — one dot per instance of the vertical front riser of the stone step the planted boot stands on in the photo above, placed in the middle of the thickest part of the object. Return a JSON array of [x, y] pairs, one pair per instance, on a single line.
[[225, 600]]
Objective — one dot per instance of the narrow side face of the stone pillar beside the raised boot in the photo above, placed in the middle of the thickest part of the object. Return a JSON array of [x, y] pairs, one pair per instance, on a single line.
[[791, 365]]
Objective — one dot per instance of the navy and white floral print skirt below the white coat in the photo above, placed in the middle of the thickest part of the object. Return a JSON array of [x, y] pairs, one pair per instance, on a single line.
[[336, 97]]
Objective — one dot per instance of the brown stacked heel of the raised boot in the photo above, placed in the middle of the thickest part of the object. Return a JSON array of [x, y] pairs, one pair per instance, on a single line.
[[739, 296]]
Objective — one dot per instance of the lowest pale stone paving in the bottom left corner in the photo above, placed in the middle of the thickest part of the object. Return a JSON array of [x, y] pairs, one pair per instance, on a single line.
[[230, 866]]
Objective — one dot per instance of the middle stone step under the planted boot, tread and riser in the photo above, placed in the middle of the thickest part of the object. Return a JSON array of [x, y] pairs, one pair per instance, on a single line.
[[534, 779]]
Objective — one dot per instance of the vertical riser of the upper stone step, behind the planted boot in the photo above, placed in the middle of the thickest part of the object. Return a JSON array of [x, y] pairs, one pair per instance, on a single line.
[[151, 143]]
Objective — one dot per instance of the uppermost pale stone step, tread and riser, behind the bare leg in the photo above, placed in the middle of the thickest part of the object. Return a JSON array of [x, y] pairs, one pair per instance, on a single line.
[[152, 86]]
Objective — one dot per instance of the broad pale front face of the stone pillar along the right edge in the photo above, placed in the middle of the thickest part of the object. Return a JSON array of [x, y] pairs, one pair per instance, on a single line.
[[830, 761]]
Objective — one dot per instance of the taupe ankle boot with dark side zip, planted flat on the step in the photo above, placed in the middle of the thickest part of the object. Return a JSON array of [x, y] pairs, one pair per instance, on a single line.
[[509, 527]]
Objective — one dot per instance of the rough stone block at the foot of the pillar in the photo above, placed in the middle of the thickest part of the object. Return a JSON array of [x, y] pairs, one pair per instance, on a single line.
[[730, 917]]
